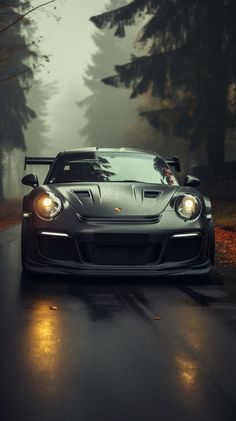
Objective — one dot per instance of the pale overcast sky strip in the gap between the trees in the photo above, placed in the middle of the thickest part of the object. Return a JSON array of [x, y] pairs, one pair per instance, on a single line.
[[69, 45]]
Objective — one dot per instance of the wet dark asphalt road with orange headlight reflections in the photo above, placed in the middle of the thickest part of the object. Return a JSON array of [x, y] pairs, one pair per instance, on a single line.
[[114, 350]]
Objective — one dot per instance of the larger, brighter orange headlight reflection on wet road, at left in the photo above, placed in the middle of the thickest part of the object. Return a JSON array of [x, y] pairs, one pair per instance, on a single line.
[[43, 342]]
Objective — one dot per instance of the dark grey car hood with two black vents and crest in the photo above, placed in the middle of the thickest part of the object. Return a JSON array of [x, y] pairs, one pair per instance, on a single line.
[[106, 200]]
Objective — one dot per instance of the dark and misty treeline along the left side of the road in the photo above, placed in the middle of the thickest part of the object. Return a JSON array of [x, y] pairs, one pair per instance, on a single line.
[[19, 58]]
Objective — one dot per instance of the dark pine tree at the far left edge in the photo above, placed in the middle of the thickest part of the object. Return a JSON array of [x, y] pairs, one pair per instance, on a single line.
[[15, 75]]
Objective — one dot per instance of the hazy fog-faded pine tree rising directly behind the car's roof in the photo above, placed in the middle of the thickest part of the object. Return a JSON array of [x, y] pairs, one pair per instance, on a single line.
[[108, 113]]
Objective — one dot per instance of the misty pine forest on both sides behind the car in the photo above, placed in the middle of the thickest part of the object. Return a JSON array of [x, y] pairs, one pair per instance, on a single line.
[[162, 77]]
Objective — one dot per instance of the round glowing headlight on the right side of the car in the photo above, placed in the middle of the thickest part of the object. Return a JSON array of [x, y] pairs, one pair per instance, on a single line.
[[188, 207]]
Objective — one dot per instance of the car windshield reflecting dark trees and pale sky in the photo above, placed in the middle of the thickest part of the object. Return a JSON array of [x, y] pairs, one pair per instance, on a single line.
[[95, 167]]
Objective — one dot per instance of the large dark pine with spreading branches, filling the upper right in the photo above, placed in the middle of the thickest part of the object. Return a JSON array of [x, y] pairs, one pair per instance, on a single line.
[[190, 65]]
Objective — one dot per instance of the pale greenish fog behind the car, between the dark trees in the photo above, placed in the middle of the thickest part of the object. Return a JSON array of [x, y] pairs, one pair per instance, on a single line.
[[74, 108]]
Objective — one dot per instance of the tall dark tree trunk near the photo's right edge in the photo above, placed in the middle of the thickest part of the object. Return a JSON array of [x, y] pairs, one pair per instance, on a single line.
[[216, 89]]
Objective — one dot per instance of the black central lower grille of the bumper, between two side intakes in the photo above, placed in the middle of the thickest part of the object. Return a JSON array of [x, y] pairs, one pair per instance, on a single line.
[[120, 254]]
